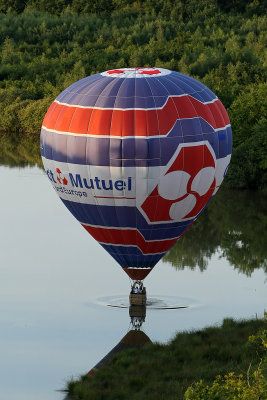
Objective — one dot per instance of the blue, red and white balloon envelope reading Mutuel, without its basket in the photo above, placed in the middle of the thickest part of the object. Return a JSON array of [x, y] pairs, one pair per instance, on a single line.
[[135, 154]]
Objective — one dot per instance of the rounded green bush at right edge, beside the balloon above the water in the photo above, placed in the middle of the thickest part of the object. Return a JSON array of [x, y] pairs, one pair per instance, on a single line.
[[249, 123]]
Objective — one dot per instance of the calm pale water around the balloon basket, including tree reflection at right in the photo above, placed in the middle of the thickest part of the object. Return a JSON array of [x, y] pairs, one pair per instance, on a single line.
[[56, 283]]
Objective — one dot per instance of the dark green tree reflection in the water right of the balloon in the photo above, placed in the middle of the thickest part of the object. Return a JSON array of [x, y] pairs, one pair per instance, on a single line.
[[234, 225]]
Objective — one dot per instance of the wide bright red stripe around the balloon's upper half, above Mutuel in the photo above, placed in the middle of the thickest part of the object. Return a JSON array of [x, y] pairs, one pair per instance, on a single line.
[[73, 119]]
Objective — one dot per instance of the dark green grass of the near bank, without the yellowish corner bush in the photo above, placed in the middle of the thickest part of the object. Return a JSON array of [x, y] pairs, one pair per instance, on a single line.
[[164, 372]]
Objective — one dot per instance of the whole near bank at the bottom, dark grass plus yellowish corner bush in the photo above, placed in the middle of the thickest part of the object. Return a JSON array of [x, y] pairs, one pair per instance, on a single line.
[[226, 362]]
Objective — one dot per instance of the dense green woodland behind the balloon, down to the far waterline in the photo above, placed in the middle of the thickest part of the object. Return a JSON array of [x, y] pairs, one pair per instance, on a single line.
[[47, 45]]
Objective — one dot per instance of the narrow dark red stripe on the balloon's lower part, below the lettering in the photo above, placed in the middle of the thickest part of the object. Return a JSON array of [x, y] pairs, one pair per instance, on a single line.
[[129, 237]]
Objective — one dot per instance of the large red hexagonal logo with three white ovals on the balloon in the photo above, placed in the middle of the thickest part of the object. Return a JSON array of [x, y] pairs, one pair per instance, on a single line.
[[185, 188]]
